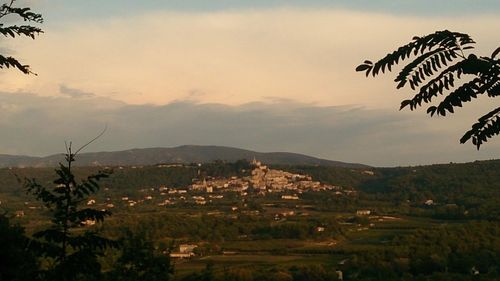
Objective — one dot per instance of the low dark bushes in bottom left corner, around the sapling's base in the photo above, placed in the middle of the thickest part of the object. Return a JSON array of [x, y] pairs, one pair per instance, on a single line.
[[134, 257]]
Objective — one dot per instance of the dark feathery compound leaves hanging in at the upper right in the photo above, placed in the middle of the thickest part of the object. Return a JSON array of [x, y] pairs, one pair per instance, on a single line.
[[439, 61]]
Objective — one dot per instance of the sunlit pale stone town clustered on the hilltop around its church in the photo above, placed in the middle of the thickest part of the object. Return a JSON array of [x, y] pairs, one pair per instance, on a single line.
[[260, 181]]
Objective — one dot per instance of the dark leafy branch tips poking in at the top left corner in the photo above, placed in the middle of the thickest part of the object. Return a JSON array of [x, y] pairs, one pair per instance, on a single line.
[[8, 9]]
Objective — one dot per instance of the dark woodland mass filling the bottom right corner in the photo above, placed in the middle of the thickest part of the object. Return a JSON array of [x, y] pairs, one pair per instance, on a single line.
[[453, 252]]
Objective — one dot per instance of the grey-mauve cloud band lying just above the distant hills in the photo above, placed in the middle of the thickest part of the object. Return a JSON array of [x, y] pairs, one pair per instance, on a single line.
[[36, 125]]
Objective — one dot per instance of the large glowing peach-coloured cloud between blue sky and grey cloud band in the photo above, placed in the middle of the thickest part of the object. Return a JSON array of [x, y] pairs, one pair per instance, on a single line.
[[234, 56]]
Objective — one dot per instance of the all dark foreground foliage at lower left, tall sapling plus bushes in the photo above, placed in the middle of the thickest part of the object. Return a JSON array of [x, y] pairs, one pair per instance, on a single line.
[[67, 249]]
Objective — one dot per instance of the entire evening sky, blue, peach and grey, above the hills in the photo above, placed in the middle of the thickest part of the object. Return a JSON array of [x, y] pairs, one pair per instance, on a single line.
[[260, 75]]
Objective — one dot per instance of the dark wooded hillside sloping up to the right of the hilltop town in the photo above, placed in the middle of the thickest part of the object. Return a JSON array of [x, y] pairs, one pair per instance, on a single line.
[[457, 190]]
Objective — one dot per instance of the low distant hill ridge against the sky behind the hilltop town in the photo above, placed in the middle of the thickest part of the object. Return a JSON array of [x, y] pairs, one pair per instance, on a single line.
[[180, 154]]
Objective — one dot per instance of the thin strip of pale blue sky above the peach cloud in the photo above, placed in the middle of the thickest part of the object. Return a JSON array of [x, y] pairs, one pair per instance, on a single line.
[[72, 9]]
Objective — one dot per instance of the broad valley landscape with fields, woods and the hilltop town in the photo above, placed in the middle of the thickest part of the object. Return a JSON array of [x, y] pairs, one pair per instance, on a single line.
[[248, 216]]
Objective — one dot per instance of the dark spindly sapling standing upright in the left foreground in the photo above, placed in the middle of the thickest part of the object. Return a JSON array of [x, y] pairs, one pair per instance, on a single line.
[[71, 251]]
